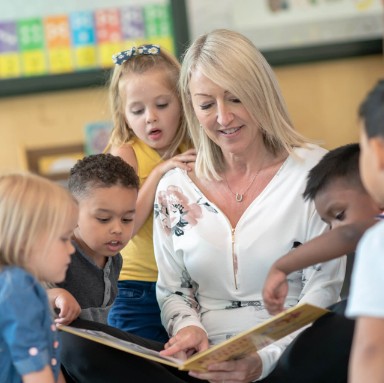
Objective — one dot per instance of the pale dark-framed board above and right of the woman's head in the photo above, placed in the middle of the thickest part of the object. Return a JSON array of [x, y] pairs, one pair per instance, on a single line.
[[296, 31]]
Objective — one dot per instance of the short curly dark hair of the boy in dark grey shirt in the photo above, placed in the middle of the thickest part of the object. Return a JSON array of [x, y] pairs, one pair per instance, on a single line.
[[101, 171]]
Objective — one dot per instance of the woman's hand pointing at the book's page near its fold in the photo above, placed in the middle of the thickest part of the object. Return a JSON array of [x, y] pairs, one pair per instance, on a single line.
[[187, 341]]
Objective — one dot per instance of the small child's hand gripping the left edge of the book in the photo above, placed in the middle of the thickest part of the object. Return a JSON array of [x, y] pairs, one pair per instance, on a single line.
[[67, 304]]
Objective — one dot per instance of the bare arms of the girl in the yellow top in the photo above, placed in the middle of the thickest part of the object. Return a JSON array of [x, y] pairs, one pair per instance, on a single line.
[[146, 197]]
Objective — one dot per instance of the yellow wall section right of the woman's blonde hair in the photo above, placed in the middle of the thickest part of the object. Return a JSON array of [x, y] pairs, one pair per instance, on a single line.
[[323, 98]]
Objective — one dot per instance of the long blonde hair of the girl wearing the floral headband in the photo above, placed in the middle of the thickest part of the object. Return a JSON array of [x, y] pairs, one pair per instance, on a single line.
[[122, 132]]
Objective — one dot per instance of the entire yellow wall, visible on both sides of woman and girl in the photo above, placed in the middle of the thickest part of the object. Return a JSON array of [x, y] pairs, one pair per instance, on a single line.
[[322, 98]]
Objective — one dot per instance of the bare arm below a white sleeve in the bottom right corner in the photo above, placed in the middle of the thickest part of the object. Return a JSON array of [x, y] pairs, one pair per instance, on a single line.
[[367, 356]]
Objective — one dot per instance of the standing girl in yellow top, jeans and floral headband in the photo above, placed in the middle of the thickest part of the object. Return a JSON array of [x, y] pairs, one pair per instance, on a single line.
[[150, 134]]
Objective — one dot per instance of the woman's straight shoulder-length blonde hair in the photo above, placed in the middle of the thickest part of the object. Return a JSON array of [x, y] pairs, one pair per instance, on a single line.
[[231, 60]]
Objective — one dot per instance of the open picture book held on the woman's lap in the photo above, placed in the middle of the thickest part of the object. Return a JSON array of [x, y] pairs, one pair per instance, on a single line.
[[244, 343]]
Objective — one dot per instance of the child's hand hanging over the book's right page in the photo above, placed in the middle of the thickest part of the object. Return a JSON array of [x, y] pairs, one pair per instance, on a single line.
[[275, 290]]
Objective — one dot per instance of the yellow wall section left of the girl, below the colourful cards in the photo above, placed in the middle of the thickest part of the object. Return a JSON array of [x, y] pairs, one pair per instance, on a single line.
[[46, 119]]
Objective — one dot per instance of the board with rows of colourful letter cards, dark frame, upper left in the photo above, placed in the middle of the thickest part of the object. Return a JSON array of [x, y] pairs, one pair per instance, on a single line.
[[47, 45]]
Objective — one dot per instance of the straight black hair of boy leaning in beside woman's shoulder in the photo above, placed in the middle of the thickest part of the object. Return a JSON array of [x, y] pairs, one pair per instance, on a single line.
[[339, 163]]
